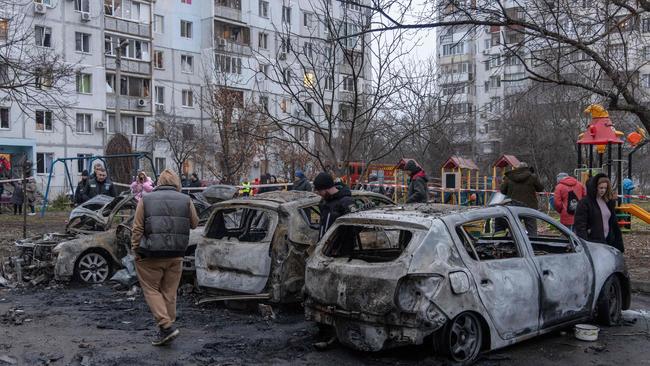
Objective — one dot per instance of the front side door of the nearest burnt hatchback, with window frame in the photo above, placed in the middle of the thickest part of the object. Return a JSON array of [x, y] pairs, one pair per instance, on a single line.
[[564, 266]]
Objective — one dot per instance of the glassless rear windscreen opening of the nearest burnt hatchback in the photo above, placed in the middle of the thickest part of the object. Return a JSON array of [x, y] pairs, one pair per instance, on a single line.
[[368, 243]]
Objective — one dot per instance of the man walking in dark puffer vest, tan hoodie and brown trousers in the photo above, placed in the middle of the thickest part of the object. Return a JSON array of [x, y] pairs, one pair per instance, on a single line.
[[161, 231]]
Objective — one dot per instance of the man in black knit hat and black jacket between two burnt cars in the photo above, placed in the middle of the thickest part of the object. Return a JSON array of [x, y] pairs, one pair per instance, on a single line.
[[336, 202]]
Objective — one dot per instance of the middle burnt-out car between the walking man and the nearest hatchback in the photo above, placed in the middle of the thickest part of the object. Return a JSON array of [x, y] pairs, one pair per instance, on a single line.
[[255, 248]]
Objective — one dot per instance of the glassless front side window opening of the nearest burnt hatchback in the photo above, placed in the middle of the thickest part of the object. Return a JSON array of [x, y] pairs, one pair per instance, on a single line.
[[546, 238]]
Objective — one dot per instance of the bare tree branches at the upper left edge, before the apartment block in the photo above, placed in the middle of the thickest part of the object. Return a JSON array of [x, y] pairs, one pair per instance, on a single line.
[[31, 74]]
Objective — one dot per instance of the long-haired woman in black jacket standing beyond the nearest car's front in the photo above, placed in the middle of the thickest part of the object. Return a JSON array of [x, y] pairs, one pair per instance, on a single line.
[[595, 218]]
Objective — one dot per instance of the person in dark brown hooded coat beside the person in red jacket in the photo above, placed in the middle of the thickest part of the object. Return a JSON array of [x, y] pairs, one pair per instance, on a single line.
[[521, 185]]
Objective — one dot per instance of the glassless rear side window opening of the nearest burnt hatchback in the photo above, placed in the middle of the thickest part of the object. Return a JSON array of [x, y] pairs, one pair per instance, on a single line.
[[488, 239]]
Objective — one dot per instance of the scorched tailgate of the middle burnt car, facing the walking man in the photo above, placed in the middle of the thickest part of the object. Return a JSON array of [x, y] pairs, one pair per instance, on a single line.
[[235, 251]]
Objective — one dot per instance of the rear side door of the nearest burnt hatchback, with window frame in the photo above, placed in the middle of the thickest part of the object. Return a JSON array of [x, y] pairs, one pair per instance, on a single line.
[[507, 283]]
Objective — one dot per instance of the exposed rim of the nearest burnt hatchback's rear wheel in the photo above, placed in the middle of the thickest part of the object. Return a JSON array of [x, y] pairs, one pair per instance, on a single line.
[[464, 338]]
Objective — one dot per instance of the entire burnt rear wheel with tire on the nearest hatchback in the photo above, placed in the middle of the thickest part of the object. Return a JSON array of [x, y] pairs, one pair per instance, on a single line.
[[461, 339]]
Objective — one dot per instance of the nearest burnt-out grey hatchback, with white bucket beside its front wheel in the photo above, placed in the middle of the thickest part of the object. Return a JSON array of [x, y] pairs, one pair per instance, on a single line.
[[465, 280]]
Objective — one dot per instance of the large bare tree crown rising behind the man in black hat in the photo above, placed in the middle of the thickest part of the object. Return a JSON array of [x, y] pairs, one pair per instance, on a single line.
[[338, 86]]
